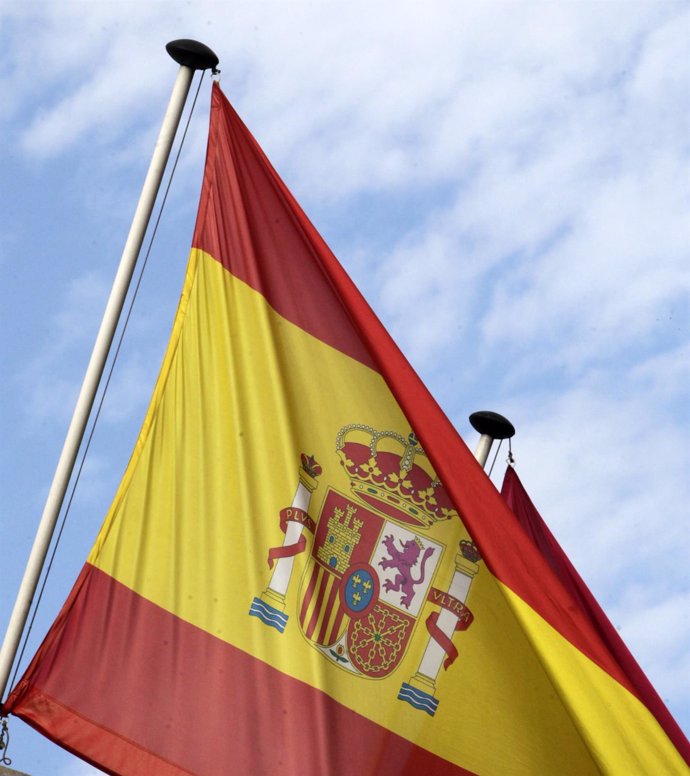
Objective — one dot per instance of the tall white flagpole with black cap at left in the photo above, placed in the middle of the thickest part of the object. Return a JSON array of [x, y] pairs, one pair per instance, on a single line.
[[191, 56]]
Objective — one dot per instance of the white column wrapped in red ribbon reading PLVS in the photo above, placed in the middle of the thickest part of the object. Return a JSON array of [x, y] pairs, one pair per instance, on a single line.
[[269, 607]]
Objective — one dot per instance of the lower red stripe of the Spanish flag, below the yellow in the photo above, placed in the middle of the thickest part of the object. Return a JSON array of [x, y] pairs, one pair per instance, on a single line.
[[122, 654]]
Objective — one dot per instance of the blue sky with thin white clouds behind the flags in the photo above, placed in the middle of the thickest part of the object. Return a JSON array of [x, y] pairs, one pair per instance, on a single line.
[[507, 183]]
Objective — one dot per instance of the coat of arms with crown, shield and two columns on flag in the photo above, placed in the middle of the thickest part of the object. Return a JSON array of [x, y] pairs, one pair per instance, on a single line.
[[373, 564]]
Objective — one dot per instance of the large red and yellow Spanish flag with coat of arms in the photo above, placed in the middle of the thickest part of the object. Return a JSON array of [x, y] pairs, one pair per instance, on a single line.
[[304, 570]]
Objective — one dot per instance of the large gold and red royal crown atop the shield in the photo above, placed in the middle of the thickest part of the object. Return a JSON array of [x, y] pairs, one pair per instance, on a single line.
[[393, 475]]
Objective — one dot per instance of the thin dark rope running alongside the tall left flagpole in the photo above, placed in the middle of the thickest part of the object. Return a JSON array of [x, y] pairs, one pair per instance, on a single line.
[[104, 391]]
